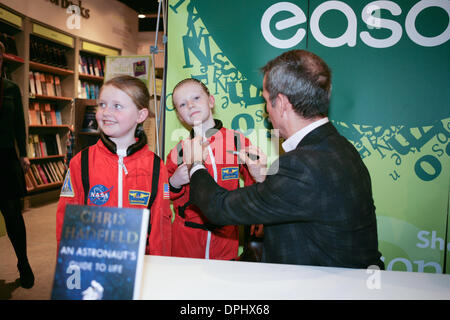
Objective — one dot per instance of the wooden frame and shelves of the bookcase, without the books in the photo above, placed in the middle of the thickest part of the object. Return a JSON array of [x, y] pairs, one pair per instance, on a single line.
[[24, 30]]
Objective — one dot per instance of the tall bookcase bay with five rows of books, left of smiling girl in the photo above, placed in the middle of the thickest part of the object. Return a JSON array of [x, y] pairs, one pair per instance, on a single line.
[[50, 100]]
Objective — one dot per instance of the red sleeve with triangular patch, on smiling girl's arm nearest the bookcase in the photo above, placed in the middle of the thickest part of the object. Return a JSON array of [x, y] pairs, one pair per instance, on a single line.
[[71, 193]]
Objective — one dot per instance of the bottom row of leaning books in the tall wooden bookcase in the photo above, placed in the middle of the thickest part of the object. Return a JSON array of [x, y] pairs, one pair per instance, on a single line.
[[44, 173]]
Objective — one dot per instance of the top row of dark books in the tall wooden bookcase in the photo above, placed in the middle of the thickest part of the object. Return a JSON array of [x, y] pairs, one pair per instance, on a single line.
[[46, 52]]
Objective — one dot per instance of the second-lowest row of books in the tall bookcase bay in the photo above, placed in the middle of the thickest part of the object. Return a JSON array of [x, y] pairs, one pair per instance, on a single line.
[[44, 145]]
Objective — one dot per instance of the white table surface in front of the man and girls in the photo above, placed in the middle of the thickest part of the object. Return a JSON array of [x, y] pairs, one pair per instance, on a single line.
[[171, 278]]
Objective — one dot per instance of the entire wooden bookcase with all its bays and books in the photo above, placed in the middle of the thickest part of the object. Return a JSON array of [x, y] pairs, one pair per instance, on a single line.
[[45, 63]]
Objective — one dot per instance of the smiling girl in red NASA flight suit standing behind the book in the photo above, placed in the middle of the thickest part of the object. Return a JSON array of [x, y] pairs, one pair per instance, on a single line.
[[121, 165]]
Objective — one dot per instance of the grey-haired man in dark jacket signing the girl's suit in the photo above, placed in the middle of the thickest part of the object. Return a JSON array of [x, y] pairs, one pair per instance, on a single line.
[[316, 204]]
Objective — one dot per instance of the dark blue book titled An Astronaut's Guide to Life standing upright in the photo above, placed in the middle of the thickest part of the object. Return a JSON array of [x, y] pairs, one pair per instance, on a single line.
[[101, 253]]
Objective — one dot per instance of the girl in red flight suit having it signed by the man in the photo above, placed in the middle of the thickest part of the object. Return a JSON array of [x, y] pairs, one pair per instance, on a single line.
[[192, 234]]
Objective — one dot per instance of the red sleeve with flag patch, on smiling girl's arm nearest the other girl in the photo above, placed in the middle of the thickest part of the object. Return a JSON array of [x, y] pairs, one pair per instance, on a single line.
[[161, 218]]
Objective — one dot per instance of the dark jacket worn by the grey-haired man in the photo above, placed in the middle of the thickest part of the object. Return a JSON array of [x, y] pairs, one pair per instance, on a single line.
[[316, 210]]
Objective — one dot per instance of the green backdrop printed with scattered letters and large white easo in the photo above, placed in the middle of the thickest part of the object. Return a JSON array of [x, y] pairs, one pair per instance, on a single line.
[[391, 96]]
